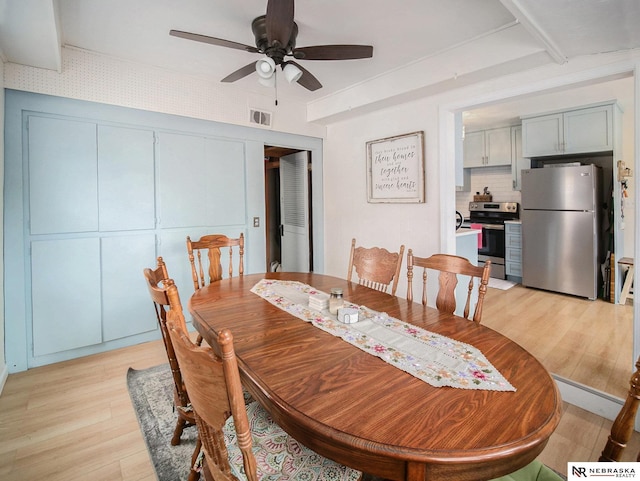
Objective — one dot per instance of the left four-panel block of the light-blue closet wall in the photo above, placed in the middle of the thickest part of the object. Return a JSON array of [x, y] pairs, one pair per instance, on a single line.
[[92, 219]]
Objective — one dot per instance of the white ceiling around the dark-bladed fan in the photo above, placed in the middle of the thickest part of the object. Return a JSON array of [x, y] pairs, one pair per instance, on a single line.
[[402, 33]]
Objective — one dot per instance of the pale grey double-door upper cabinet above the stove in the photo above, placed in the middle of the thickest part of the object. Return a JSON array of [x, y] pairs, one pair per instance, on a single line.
[[487, 148]]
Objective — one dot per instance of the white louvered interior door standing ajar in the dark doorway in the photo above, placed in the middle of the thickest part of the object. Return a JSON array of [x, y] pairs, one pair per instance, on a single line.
[[294, 212]]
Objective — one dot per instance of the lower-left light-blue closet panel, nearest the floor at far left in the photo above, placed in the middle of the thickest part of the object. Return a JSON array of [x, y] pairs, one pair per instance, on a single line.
[[65, 294]]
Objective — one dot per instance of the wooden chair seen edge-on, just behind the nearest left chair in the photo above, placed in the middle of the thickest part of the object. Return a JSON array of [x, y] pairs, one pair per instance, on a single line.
[[156, 283]]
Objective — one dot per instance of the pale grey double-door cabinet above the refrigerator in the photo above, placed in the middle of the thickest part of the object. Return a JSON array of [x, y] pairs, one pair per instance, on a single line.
[[578, 131]]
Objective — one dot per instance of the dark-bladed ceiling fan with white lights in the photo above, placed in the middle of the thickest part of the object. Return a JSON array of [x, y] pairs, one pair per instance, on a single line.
[[275, 35]]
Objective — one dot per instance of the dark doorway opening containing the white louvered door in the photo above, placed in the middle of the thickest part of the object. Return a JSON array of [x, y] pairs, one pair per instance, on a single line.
[[288, 218]]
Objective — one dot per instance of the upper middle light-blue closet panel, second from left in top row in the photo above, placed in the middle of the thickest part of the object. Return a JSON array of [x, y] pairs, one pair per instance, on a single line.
[[125, 178]]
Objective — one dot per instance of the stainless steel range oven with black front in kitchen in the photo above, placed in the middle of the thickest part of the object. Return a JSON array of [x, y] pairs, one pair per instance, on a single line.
[[491, 217]]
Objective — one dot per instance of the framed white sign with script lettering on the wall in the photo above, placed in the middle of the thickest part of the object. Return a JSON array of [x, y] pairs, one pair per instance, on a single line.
[[395, 169]]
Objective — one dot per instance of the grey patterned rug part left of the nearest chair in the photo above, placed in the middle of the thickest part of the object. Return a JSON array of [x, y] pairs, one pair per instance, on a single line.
[[151, 392]]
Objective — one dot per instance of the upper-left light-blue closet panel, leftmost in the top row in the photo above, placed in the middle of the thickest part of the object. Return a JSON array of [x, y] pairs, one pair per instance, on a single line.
[[63, 187]]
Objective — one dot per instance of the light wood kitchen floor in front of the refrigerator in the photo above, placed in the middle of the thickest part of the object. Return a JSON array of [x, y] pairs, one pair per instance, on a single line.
[[590, 342]]
